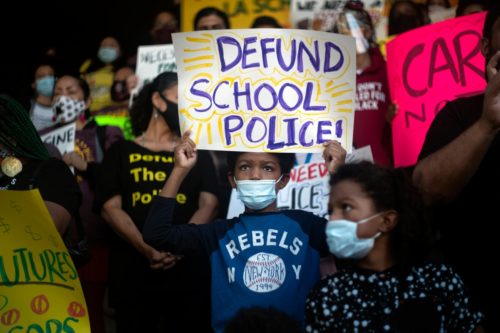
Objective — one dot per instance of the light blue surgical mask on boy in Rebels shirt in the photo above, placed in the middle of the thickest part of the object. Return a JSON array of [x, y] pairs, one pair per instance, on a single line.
[[257, 194]]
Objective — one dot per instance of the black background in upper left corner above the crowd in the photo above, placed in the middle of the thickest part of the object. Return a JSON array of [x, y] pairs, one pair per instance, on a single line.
[[74, 28]]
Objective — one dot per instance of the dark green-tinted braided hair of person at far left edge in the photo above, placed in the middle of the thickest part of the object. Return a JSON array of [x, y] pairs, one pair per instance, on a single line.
[[17, 133]]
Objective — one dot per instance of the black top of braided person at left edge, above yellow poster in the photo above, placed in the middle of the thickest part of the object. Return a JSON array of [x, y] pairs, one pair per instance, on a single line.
[[52, 178]]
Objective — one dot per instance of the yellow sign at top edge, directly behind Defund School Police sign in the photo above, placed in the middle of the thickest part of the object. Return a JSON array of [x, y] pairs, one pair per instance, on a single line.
[[241, 13]]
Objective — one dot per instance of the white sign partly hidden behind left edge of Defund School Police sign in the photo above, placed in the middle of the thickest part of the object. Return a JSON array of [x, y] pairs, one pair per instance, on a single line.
[[151, 61]]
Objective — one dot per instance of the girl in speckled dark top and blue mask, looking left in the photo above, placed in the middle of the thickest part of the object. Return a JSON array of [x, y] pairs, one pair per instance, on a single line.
[[387, 280]]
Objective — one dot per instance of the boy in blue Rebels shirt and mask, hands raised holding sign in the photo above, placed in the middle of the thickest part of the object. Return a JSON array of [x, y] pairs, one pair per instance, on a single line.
[[264, 257]]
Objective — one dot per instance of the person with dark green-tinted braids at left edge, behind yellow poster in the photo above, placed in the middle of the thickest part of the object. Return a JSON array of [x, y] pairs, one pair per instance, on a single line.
[[26, 164]]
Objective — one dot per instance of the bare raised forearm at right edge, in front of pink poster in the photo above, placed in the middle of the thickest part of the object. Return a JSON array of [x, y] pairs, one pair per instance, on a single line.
[[443, 174]]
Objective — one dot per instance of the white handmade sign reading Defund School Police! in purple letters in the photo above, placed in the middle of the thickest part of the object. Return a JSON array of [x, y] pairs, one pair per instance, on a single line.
[[270, 90]]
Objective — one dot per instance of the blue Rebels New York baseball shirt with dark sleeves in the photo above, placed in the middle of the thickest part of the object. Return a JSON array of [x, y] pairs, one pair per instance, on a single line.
[[256, 259]]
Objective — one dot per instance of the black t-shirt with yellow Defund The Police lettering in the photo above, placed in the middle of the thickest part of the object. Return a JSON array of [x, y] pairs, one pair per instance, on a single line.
[[138, 175]]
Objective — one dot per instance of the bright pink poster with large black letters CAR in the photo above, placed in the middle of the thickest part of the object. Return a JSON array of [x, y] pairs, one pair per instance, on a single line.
[[428, 67]]
